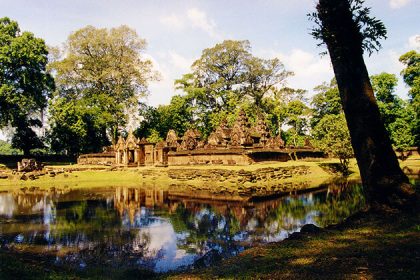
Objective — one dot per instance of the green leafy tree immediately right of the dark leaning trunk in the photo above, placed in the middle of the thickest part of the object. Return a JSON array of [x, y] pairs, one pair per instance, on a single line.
[[397, 117]]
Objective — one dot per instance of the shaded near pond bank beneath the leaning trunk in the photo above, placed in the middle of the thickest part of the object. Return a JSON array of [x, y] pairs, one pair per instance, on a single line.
[[377, 244]]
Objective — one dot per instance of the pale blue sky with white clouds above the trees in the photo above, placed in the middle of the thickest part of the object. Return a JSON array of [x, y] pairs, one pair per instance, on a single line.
[[177, 31]]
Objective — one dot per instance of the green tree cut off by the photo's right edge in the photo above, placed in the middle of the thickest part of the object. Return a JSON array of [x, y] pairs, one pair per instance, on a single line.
[[411, 76]]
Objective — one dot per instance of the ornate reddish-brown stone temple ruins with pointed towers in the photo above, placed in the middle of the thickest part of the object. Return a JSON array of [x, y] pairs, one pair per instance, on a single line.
[[241, 144]]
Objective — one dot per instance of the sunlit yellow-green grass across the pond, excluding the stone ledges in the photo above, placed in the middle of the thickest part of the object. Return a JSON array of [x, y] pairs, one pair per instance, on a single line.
[[102, 176]]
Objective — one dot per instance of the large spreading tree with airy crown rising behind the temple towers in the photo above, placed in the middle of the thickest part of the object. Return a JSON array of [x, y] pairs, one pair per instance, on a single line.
[[228, 77]]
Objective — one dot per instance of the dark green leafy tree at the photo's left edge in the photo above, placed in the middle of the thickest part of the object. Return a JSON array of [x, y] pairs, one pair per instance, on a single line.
[[25, 84]]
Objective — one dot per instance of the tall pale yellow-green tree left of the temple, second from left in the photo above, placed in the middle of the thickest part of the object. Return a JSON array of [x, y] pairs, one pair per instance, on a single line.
[[105, 69]]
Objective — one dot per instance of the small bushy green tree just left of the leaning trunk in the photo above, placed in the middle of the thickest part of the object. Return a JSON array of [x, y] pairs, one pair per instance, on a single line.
[[332, 136]]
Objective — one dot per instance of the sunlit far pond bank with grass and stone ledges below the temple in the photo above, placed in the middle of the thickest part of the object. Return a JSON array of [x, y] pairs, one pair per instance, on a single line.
[[272, 177]]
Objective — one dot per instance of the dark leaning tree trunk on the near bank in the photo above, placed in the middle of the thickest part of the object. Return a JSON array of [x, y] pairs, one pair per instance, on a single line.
[[378, 164]]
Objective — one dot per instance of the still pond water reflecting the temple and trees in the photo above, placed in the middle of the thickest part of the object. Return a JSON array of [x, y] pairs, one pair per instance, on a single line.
[[156, 229]]
